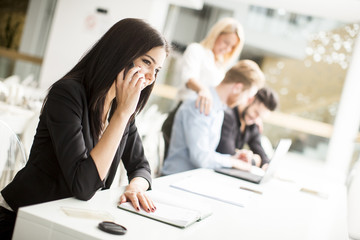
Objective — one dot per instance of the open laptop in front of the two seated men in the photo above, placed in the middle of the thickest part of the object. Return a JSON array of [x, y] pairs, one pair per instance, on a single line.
[[257, 175]]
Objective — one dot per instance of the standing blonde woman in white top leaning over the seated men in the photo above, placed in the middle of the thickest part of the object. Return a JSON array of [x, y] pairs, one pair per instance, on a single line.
[[204, 65]]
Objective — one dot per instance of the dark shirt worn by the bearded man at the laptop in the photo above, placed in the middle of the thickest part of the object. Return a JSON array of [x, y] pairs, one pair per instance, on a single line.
[[232, 137]]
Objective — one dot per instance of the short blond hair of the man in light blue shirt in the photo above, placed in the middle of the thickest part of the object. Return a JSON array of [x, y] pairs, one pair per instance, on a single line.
[[246, 72]]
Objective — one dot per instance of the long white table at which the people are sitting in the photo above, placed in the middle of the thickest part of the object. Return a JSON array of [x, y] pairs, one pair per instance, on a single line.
[[281, 212]]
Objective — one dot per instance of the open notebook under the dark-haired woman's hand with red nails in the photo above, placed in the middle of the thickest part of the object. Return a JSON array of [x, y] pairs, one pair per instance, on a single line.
[[172, 210]]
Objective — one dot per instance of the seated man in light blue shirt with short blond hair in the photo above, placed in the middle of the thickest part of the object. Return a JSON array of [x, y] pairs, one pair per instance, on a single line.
[[195, 136]]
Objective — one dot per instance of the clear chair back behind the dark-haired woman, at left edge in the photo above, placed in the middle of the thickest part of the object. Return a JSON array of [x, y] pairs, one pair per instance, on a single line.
[[12, 154]]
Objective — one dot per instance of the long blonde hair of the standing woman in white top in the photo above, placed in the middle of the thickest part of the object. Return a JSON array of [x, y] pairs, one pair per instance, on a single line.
[[225, 26]]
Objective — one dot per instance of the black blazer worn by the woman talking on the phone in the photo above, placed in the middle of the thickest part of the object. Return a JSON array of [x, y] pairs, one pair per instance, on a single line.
[[60, 164]]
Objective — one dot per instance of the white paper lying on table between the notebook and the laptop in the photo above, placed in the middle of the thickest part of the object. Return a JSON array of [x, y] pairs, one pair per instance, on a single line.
[[214, 189]]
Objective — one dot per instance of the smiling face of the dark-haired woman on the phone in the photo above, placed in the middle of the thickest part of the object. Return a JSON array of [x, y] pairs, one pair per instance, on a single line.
[[150, 64]]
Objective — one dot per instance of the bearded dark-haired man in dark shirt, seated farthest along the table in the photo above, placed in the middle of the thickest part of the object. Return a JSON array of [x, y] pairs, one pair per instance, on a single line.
[[240, 128]]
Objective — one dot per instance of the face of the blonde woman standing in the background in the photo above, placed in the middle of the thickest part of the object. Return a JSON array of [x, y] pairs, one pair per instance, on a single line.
[[225, 43]]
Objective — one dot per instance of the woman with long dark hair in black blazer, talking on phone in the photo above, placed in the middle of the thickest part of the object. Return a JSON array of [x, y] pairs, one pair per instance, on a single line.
[[87, 125]]
